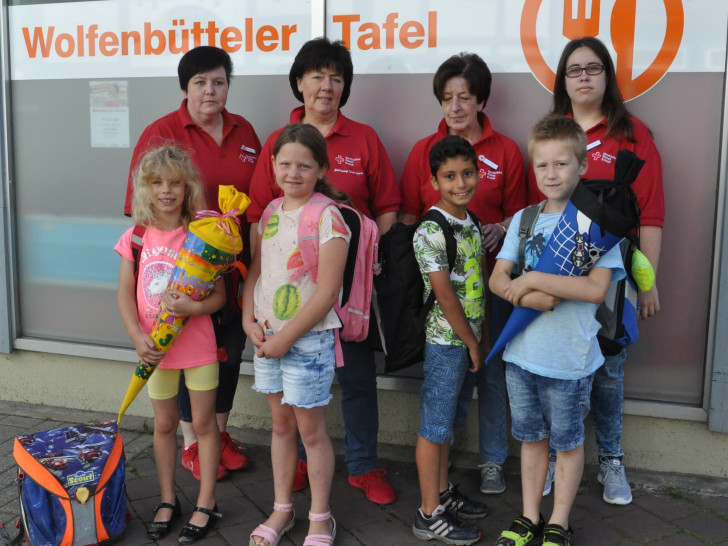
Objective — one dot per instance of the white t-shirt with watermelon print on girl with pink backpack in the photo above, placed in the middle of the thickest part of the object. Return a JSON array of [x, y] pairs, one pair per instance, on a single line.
[[278, 297]]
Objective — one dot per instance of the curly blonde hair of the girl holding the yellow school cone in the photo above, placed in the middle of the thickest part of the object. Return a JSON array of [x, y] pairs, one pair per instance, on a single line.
[[179, 165]]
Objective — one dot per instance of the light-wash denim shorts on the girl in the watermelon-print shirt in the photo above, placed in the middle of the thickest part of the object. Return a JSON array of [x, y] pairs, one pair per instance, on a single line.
[[304, 374]]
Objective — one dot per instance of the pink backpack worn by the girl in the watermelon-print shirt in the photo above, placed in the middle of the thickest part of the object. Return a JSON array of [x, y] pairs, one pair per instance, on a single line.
[[361, 262]]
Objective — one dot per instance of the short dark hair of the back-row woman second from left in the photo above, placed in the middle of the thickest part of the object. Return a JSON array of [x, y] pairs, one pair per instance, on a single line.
[[322, 53]]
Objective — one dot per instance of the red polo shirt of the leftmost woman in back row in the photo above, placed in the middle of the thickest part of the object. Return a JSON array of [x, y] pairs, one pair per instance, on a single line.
[[232, 163]]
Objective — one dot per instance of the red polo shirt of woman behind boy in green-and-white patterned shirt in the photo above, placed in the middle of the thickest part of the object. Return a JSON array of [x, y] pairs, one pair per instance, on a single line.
[[502, 188]]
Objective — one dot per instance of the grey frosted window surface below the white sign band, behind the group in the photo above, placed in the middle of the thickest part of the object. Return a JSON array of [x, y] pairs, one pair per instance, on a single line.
[[75, 187]]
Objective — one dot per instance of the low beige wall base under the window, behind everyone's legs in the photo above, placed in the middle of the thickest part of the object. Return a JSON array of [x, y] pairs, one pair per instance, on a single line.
[[650, 443]]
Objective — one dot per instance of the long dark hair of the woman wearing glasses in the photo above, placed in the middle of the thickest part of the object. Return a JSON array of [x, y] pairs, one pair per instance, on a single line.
[[618, 123]]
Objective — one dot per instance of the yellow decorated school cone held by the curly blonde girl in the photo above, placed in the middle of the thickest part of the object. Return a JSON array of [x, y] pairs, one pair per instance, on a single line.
[[210, 247]]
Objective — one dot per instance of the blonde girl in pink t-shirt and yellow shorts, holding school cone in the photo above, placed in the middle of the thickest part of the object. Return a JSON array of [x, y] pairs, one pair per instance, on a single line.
[[167, 193]]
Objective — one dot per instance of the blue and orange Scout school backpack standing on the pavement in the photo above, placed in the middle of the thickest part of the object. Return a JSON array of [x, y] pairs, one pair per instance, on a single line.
[[71, 485]]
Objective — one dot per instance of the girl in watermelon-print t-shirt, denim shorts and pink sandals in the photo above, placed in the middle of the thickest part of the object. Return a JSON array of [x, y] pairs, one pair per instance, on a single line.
[[291, 323]]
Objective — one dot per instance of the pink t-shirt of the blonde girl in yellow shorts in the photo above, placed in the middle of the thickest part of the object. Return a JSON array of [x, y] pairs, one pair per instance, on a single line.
[[195, 345]]
